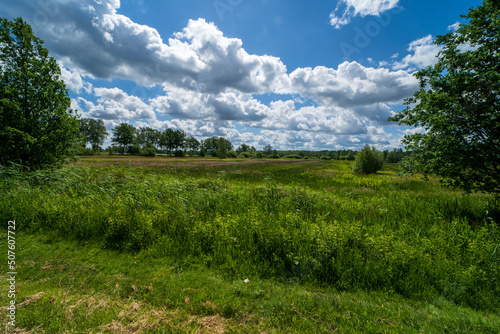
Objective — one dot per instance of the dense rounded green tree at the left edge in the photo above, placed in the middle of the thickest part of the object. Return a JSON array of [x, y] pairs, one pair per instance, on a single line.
[[37, 128]]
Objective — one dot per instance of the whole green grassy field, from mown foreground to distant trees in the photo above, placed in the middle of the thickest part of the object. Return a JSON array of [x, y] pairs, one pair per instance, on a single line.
[[118, 244]]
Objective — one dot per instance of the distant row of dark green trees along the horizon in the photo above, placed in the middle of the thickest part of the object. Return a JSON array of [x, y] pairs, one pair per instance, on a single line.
[[147, 141]]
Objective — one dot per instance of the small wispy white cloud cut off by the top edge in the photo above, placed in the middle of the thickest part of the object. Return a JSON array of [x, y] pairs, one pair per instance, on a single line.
[[362, 8]]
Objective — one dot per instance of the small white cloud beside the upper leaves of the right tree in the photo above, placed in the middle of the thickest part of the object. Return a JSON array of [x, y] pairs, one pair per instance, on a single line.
[[423, 54]]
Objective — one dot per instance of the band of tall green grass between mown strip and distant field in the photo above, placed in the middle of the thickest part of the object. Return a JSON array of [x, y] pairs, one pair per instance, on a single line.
[[296, 222]]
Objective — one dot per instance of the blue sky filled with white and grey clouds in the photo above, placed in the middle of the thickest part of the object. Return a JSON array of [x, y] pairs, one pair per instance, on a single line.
[[293, 74]]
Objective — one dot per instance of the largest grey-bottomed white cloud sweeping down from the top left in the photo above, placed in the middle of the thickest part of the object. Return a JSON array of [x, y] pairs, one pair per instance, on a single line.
[[92, 37]]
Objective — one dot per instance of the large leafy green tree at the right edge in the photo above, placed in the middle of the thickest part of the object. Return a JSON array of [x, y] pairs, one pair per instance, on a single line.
[[458, 105]]
